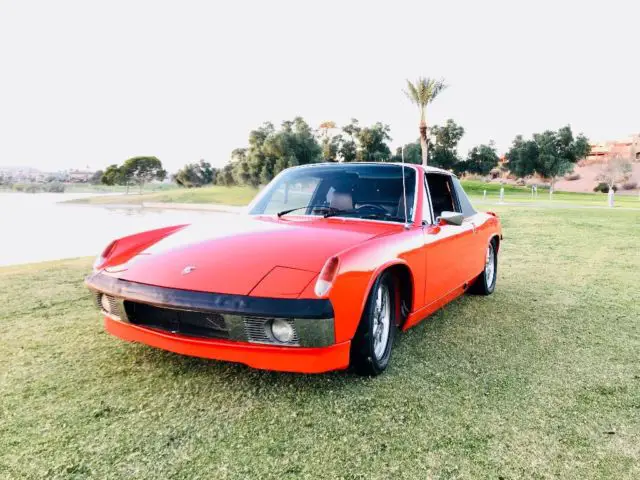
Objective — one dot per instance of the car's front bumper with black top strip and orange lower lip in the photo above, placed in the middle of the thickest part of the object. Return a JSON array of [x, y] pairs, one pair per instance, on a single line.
[[219, 326]]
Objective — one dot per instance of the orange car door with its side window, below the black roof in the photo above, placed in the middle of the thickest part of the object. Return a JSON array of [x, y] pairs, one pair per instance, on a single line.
[[446, 246]]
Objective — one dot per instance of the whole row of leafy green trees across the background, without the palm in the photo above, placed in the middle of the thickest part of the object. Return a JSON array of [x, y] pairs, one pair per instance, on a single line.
[[270, 150]]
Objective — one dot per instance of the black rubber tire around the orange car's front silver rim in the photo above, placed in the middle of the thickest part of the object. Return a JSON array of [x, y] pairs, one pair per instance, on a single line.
[[363, 354]]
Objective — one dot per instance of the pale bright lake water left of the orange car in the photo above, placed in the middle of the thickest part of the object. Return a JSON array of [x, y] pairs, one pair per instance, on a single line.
[[35, 227]]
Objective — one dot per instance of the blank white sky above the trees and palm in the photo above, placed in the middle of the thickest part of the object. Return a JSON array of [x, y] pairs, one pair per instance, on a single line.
[[93, 83]]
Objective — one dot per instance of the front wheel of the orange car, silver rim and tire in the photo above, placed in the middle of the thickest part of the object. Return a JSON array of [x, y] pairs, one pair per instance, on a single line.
[[371, 346]]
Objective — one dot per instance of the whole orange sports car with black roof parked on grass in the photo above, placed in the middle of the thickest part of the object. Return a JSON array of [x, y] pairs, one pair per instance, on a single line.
[[331, 260]]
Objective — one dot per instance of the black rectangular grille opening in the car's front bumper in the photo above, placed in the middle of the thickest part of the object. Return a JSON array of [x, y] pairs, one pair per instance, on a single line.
[[194, 324]]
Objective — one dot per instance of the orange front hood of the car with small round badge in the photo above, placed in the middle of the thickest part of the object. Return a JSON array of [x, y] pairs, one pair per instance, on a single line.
[[234, 256]]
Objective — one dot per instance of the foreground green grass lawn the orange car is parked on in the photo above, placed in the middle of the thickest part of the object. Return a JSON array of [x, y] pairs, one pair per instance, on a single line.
[[539, 380]]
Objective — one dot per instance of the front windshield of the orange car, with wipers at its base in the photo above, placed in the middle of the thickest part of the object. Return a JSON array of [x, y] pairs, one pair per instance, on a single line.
[[369, 191]]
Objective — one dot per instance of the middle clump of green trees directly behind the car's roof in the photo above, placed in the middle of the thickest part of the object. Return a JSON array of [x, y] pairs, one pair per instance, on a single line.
[[270, 150]]
